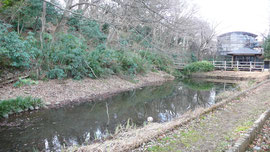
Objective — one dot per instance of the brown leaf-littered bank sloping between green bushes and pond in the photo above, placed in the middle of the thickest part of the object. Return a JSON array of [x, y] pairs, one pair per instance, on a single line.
[[61, 92]]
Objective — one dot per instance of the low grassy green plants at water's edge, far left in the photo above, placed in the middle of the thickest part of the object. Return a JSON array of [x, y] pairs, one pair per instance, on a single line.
[[18, 105]]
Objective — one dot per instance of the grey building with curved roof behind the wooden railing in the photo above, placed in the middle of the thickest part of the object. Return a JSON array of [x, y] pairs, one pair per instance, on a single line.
[[239, 46]]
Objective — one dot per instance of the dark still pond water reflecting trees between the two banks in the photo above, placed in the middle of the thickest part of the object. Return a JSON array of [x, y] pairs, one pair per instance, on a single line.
[[50, 130]]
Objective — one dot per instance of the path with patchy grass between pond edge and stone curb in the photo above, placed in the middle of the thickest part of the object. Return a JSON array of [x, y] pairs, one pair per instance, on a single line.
[[217, 131]]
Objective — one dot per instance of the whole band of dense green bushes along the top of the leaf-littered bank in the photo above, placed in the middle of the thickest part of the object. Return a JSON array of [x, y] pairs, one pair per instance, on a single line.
[[68, 56]]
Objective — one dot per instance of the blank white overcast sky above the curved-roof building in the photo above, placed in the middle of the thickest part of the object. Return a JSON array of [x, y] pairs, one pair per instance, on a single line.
[[236, 15]]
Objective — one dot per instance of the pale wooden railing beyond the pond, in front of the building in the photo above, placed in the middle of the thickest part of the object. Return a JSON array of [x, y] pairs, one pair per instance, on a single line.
[[231, 65]]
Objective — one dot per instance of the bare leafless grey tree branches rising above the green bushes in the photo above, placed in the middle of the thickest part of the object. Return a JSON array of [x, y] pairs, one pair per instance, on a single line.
[[173, 25]]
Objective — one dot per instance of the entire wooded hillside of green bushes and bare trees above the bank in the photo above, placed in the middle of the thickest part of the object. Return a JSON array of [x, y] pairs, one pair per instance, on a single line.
[[82, 38]]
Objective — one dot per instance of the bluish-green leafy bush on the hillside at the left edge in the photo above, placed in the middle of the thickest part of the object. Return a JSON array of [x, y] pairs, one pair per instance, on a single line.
[[15, 51]]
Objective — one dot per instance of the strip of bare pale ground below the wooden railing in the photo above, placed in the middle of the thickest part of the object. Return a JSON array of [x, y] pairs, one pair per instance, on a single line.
[[233, 75]]
